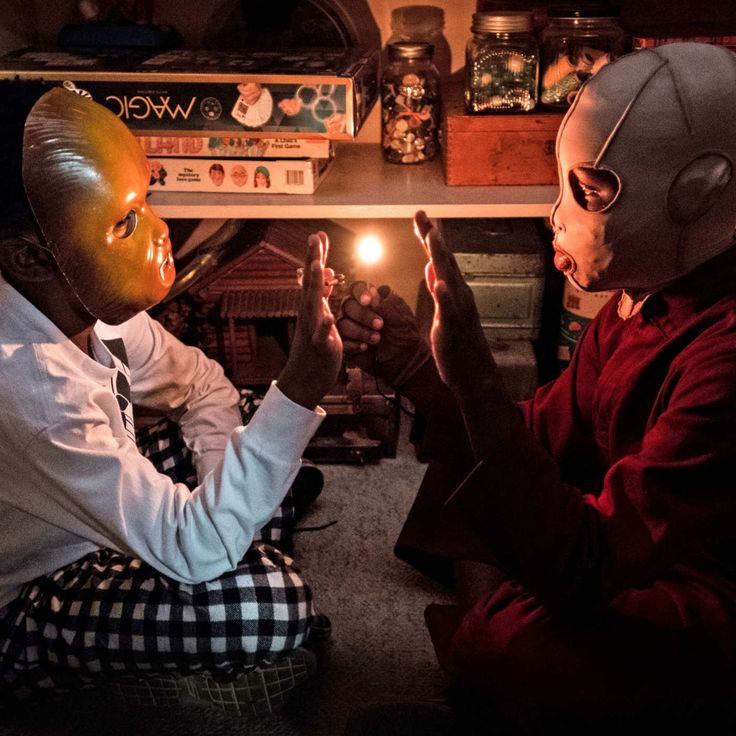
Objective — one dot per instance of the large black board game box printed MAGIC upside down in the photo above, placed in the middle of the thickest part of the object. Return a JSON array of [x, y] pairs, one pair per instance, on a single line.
[[311, 93]]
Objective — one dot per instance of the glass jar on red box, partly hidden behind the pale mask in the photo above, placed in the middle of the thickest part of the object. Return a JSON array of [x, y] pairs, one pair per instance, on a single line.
[[576, 42]]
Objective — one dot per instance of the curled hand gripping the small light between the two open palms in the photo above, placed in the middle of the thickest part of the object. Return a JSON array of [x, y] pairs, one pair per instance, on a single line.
[[380, 334]]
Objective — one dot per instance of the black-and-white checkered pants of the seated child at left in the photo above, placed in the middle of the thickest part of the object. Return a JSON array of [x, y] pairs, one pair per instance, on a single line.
[[109, 614]]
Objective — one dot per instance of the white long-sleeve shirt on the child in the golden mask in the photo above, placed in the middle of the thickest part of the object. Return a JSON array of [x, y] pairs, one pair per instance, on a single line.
[[72, 479]]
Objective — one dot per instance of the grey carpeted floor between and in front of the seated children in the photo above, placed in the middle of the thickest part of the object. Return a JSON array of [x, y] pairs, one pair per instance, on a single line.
[[379, 650]]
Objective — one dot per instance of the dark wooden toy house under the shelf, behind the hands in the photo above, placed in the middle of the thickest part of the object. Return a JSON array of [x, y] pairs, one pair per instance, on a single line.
[[238, 301]]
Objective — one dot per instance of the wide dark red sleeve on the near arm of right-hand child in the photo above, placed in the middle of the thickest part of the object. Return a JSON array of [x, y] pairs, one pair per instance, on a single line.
[[671, 499]]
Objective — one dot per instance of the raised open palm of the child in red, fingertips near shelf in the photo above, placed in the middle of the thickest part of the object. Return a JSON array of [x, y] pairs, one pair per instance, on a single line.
[[459, 346]]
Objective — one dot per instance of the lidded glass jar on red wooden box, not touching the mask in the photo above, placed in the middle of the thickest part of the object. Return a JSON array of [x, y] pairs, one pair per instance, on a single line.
[[501, 63]]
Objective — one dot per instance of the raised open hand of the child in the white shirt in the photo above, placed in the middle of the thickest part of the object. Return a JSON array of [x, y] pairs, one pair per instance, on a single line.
[[316, 352]]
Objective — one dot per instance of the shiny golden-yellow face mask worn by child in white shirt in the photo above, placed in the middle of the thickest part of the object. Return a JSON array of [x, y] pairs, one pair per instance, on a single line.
[[86, 178]]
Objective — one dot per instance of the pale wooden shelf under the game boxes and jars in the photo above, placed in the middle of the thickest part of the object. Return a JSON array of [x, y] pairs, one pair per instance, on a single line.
[[361, 185]]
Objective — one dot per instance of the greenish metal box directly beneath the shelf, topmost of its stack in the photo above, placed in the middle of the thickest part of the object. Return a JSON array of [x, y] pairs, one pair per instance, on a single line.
[[502, 260]]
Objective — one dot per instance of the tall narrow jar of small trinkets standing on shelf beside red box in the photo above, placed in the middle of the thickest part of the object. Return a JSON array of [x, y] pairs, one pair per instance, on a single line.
[[410, 104]]
